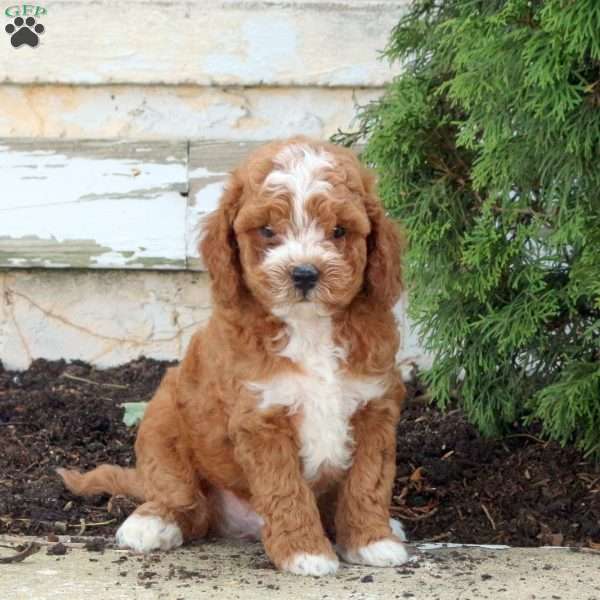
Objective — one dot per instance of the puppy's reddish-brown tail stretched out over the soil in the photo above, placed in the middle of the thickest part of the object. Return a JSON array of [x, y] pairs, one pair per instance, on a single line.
[[105, 479]]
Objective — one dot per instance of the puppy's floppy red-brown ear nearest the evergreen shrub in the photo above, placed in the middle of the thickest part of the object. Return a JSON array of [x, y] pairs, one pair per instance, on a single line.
[[383, 274]]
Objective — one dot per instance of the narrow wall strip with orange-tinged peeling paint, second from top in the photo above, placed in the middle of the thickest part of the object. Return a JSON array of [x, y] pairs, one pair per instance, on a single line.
[[160, 112]]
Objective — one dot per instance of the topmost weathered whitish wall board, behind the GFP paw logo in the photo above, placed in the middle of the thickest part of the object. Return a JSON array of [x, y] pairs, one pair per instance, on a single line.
[[209, 43]]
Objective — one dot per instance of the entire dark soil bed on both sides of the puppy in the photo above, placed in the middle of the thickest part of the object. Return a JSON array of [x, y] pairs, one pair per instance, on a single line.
[[452, 485]]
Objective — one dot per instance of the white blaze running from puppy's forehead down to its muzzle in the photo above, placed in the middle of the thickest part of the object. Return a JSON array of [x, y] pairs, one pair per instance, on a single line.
[[300, 172]]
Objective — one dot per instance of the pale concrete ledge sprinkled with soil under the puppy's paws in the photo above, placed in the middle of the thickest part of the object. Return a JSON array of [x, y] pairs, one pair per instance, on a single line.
[[240, 570]]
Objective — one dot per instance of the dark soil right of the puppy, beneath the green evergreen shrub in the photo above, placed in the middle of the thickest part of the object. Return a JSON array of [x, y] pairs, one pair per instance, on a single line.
[[452, 485]]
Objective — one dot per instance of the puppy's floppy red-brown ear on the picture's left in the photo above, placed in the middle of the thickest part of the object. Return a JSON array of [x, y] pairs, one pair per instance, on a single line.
[[219, 247]]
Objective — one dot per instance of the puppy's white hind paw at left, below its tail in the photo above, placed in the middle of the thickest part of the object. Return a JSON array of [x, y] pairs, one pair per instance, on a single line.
[[144, 533]]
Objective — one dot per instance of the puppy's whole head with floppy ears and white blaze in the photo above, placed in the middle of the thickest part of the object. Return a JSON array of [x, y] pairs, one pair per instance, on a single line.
[[299, 224]]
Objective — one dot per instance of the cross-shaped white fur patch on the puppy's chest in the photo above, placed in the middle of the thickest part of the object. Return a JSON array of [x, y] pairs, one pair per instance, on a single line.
[[324, 396]]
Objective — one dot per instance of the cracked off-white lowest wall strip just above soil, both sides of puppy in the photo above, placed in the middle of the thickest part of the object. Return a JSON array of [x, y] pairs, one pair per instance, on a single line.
[[64, 313]]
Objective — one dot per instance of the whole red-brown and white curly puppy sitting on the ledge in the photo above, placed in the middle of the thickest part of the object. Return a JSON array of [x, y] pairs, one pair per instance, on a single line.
[[280, 421]]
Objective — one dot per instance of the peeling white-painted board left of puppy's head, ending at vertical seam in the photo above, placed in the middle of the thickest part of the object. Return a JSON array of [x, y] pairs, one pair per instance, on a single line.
[[93, 204]]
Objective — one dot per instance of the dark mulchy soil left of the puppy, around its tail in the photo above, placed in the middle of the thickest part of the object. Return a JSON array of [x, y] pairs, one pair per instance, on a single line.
[[50, 416]]
